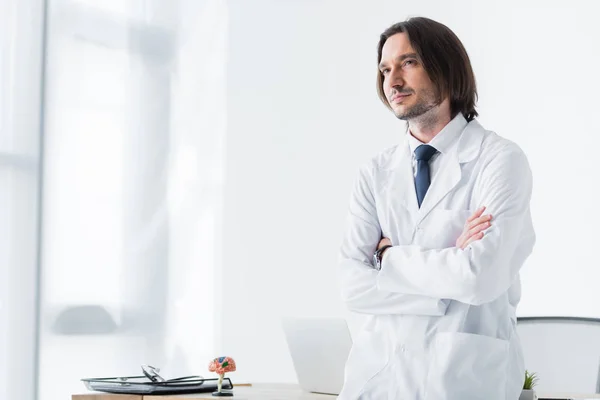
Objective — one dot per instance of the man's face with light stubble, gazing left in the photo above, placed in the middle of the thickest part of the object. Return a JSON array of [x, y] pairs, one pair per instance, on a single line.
[[407, 86]]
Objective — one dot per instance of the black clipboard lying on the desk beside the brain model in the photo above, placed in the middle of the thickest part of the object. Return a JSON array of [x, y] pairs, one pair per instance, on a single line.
[[142, 385]]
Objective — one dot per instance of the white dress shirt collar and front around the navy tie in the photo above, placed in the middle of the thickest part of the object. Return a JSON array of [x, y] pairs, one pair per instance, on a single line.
[[442, 143]]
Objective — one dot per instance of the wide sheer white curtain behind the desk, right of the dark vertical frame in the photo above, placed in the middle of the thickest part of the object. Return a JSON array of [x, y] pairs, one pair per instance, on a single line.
[[133, 133]]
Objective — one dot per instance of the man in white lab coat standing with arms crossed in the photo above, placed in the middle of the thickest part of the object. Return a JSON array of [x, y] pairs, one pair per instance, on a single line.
[[439, 227]]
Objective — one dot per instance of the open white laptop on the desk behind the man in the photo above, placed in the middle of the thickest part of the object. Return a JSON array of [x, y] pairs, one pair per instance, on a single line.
[[319, 348]]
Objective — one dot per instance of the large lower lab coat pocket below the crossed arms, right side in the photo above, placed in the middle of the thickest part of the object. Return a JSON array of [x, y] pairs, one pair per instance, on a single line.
[[467, 367]]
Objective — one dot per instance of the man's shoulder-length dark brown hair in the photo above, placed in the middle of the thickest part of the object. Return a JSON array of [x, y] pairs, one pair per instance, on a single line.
[[444, 58]]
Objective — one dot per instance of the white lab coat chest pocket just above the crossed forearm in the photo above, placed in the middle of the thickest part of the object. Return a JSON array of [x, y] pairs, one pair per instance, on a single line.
[[442, 227]]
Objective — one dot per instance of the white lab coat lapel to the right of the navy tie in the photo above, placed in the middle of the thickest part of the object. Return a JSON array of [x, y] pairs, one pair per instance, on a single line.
[[450, 172]]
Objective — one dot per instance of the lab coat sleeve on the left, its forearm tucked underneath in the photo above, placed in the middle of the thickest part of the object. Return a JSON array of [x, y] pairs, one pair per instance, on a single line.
[[357, 274]]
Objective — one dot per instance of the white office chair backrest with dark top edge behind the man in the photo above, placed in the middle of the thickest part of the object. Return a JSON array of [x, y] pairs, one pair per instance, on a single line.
[[564, 352]]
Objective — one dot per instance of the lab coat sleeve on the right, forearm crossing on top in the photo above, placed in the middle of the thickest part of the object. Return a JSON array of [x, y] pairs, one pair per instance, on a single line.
[[487, 267]]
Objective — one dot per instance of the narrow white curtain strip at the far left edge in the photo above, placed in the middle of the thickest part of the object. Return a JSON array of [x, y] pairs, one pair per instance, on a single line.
[[21, 38]]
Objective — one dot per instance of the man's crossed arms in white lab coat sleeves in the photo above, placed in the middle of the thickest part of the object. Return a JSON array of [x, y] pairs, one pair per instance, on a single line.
[[419, 281]]
